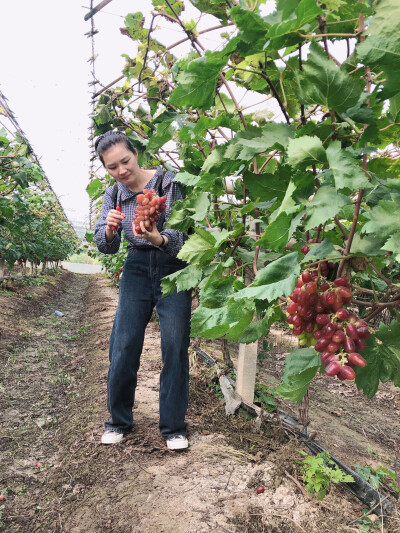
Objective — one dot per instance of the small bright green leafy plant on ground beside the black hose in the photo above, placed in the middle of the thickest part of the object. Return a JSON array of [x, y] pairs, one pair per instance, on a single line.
[[319, 472]]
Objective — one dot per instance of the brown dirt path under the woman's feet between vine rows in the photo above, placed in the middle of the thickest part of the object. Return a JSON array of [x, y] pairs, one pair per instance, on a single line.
[[56, 475]]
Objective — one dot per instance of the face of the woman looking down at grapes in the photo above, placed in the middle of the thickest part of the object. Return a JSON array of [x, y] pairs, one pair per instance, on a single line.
[[121, 164]]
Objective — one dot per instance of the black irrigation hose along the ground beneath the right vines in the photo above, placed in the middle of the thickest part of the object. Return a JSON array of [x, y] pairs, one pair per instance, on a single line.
[[360, 488]]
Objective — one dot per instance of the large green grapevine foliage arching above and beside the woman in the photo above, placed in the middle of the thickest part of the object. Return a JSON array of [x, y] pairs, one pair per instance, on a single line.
[[315, 162]]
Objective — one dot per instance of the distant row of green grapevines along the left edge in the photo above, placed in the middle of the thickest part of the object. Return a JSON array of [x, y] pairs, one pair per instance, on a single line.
[[33, 225]]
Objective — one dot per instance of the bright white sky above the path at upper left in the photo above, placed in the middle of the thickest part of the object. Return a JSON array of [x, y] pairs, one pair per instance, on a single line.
[[44, 73]]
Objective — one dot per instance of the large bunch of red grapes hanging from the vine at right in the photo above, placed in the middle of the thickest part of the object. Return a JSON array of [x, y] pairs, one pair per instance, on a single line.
[[317, 313]]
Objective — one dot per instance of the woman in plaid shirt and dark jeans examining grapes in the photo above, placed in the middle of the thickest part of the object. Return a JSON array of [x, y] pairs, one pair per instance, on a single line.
[[151, 256]]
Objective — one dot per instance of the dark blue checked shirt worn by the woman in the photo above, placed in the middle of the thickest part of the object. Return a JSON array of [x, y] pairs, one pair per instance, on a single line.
[[175, 238]]
